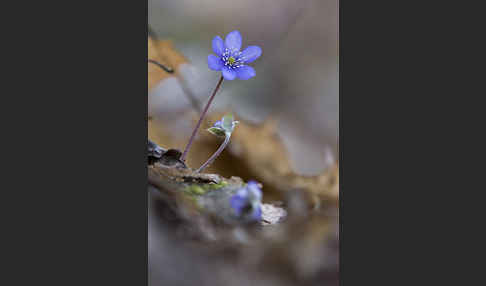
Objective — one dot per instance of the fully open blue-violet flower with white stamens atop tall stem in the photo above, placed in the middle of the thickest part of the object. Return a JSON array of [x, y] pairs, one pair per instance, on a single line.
[[229, 60]]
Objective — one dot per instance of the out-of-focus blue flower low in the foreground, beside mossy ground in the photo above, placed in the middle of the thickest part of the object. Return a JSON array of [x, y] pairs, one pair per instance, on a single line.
[[247, 201]]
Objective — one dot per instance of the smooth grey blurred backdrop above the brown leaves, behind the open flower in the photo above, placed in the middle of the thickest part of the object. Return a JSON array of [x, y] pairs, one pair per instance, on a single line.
[[296, 76]]
